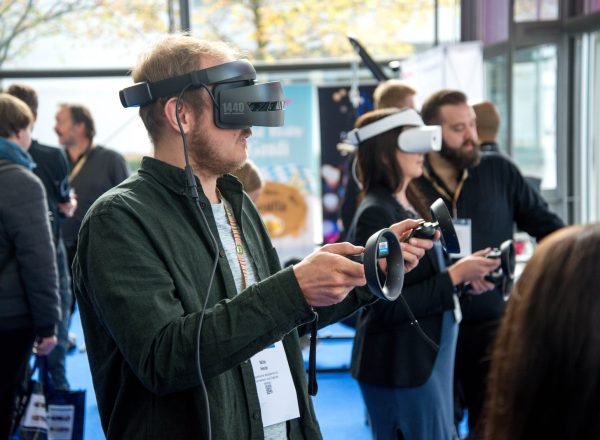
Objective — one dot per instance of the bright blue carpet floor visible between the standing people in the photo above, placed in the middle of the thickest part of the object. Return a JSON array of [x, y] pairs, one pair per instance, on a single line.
[[338, 404]]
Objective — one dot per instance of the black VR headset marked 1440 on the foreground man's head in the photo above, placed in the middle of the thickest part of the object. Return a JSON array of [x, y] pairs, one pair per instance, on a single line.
[[238, 101]]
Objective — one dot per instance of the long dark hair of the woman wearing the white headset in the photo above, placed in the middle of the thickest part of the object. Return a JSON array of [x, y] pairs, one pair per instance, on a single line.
[[377, 163]]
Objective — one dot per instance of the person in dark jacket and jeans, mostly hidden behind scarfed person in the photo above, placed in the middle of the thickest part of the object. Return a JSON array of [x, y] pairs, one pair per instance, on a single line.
[[53, 170]]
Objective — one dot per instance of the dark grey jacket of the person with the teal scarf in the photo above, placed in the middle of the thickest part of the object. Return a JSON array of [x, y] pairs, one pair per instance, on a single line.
[[28, 277]]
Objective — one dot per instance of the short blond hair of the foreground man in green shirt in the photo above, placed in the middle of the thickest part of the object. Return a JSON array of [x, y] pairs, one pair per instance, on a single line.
[[173, 56]]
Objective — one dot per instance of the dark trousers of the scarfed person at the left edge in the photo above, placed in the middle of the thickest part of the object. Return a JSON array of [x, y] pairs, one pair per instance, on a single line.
[[16, 344]]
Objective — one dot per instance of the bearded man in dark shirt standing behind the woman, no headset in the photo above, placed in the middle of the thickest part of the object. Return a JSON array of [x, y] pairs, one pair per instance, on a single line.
[[487, 196]]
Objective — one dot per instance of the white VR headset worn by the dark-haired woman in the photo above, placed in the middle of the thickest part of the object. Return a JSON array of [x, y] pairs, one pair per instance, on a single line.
[[420, 139]]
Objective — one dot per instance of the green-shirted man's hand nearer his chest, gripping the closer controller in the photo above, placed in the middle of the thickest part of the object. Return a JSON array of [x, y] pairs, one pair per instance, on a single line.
[[326, 276]]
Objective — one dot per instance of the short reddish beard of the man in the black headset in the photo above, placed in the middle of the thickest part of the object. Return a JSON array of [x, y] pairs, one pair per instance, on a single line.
[[203, 153]]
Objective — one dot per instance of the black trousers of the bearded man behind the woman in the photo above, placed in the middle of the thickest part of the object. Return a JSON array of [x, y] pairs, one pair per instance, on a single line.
[[475, 340]]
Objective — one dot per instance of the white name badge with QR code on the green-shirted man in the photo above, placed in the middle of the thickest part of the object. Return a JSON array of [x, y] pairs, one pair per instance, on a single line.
[[275, 386]]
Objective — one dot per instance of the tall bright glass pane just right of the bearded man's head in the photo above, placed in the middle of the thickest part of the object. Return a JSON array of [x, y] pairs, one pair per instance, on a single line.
[[534, 113]]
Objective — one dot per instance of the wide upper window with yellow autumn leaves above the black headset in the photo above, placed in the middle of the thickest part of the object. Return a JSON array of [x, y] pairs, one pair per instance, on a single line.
[[275, 30]]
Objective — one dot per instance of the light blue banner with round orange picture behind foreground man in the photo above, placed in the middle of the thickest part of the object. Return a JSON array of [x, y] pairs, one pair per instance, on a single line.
[[288, 160]]
